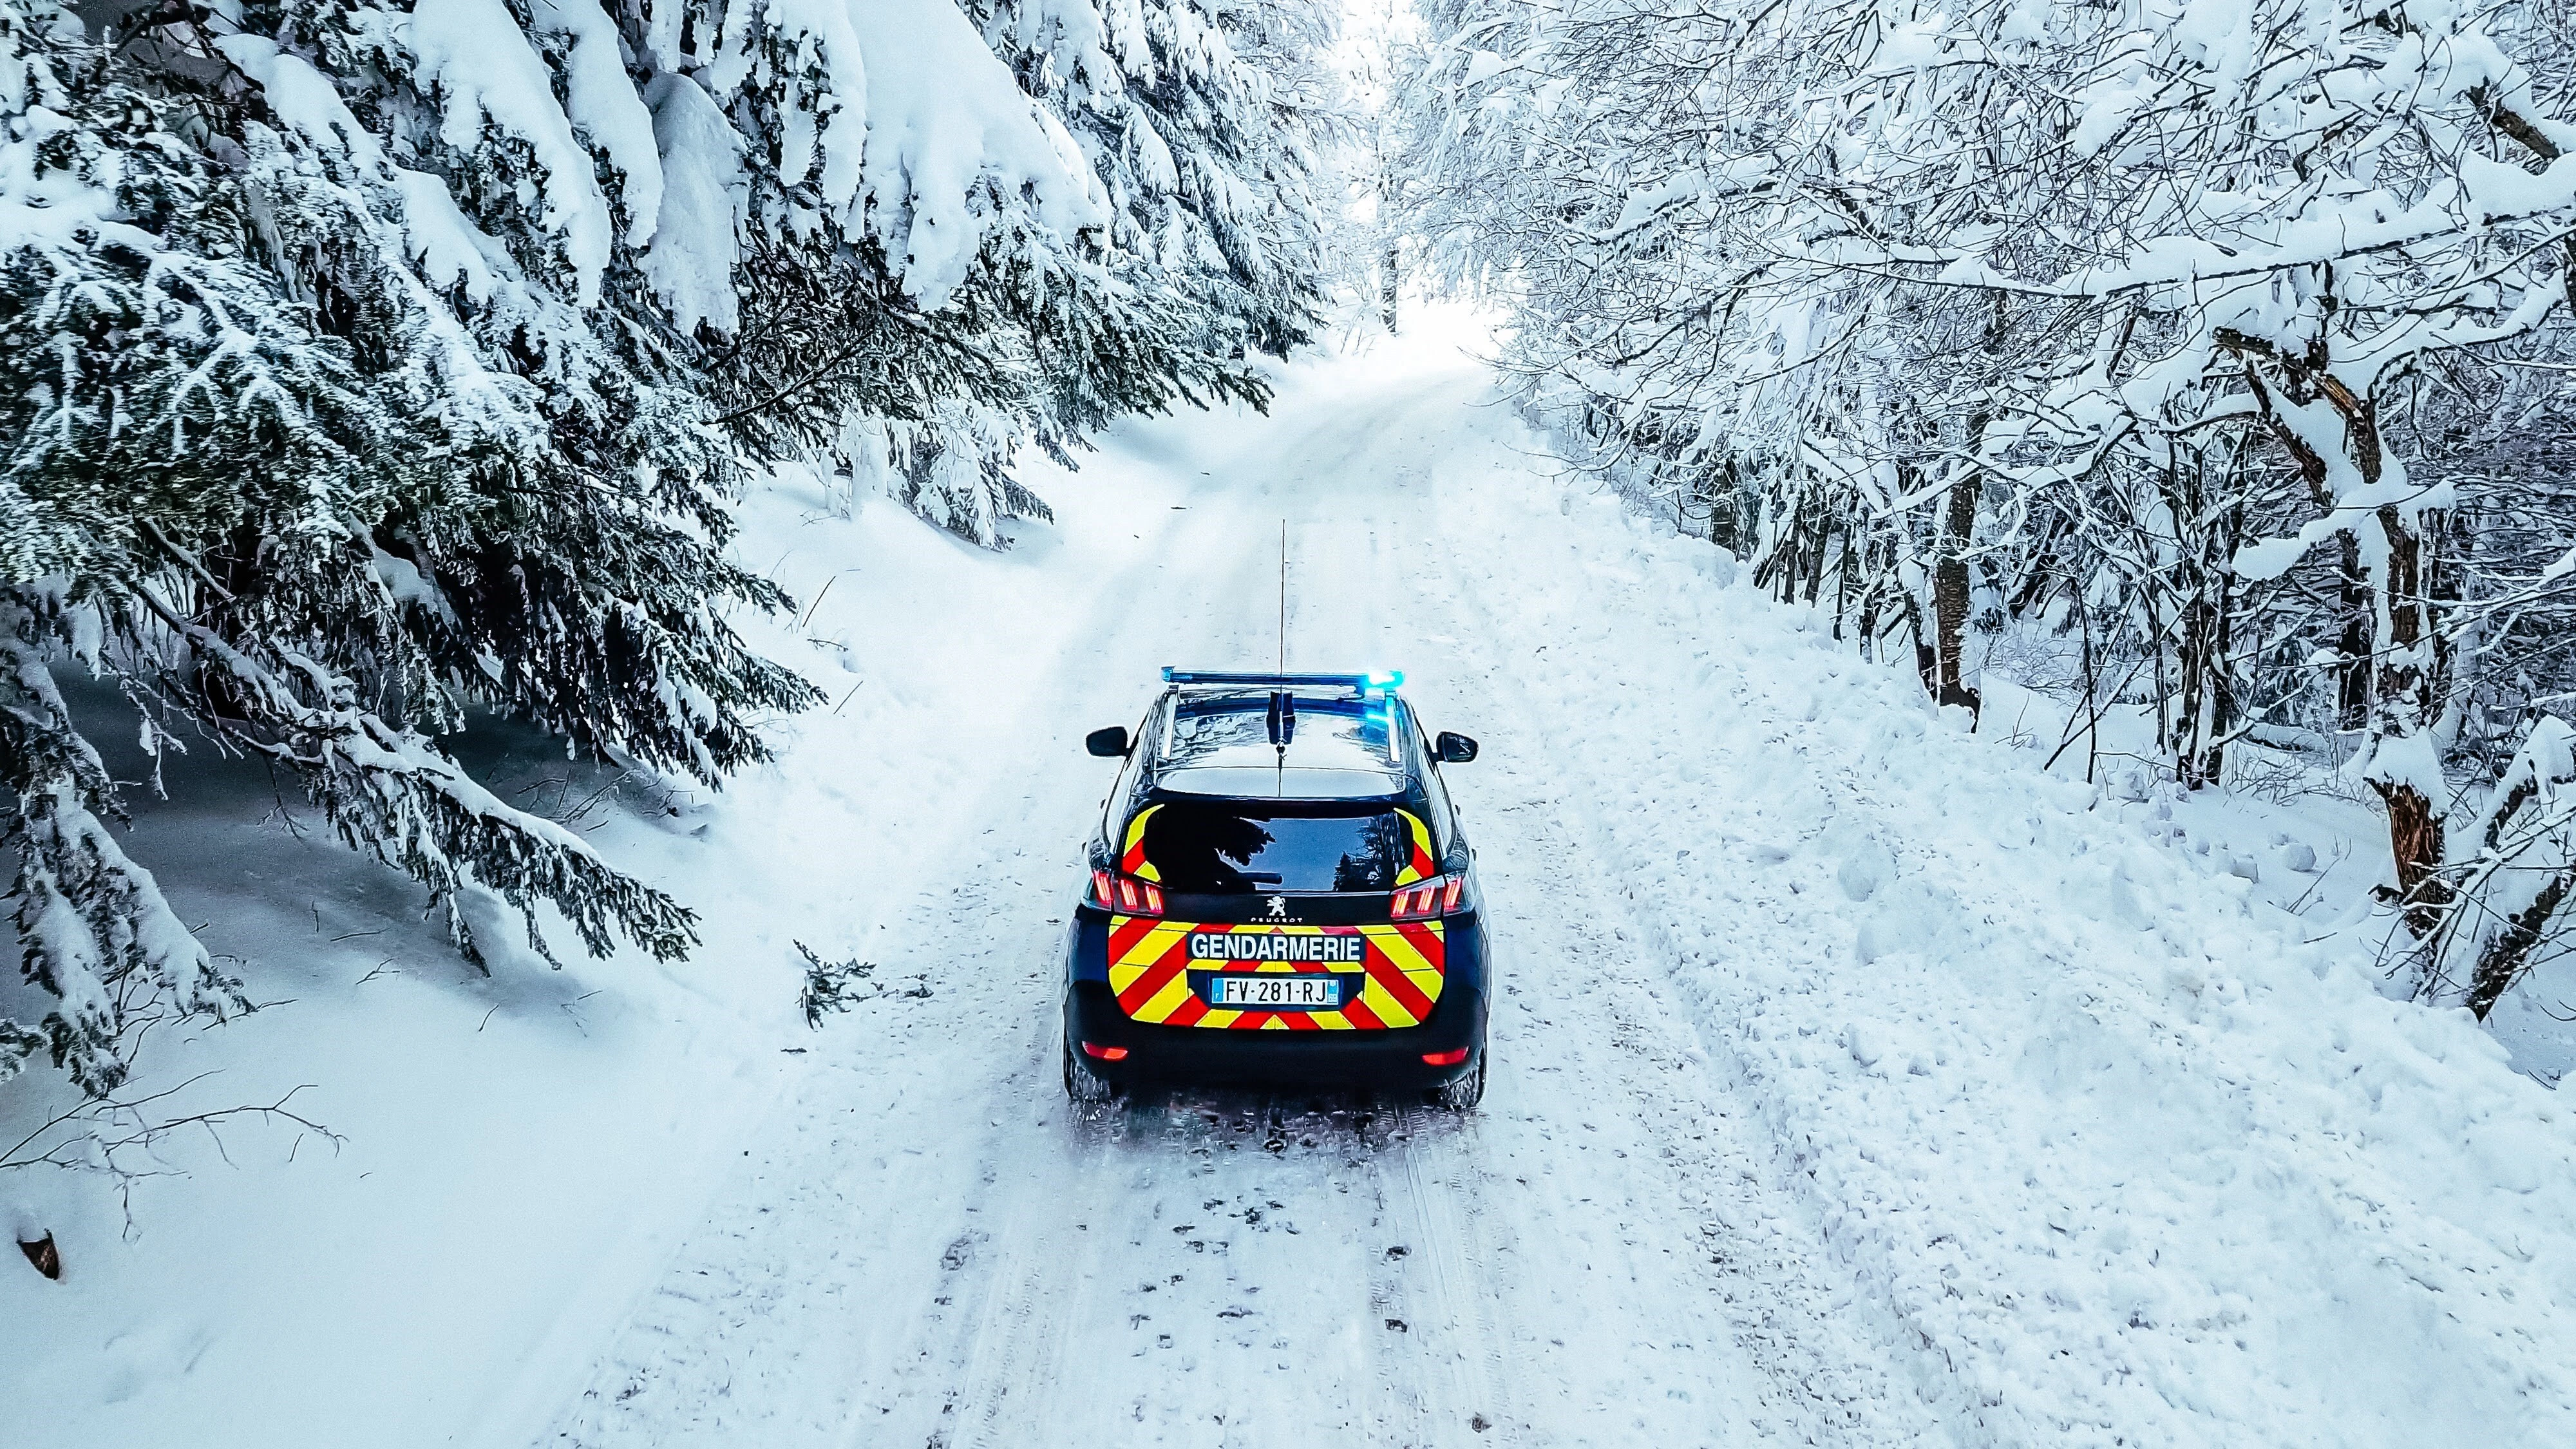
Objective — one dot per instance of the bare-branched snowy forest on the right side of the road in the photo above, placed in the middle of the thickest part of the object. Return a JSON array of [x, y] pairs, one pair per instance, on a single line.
[[2224, 349]]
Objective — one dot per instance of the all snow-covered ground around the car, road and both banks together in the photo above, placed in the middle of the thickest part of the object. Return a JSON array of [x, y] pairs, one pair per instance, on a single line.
[[1853, 1082]]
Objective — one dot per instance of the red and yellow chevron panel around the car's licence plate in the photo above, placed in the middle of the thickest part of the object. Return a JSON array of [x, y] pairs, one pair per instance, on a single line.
[[1150, 971]]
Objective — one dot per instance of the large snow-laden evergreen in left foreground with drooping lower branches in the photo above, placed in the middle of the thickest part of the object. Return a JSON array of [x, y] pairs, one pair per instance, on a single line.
[[308, 494]]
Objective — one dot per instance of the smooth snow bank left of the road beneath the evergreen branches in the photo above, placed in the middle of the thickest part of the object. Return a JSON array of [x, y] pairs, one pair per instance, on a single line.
[[516, 1151]]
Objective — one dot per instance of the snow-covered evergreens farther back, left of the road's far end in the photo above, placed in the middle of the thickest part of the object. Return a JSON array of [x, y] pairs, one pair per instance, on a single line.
[[1052, 326]]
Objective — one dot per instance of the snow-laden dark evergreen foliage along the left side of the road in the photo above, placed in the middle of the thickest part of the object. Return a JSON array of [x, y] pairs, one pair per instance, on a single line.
[[362, 367]]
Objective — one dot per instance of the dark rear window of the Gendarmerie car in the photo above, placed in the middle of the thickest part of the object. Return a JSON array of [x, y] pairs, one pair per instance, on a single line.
[[1227, 850]]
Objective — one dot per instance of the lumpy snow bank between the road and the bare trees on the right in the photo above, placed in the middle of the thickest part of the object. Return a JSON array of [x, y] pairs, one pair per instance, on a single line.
[[2126, 1159]]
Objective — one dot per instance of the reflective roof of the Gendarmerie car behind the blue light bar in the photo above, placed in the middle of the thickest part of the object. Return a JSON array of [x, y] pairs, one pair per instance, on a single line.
[[1338, 746]]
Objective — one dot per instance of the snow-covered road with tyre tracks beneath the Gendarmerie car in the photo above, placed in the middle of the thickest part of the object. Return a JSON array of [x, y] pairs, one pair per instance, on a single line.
[[929, 1247]]
